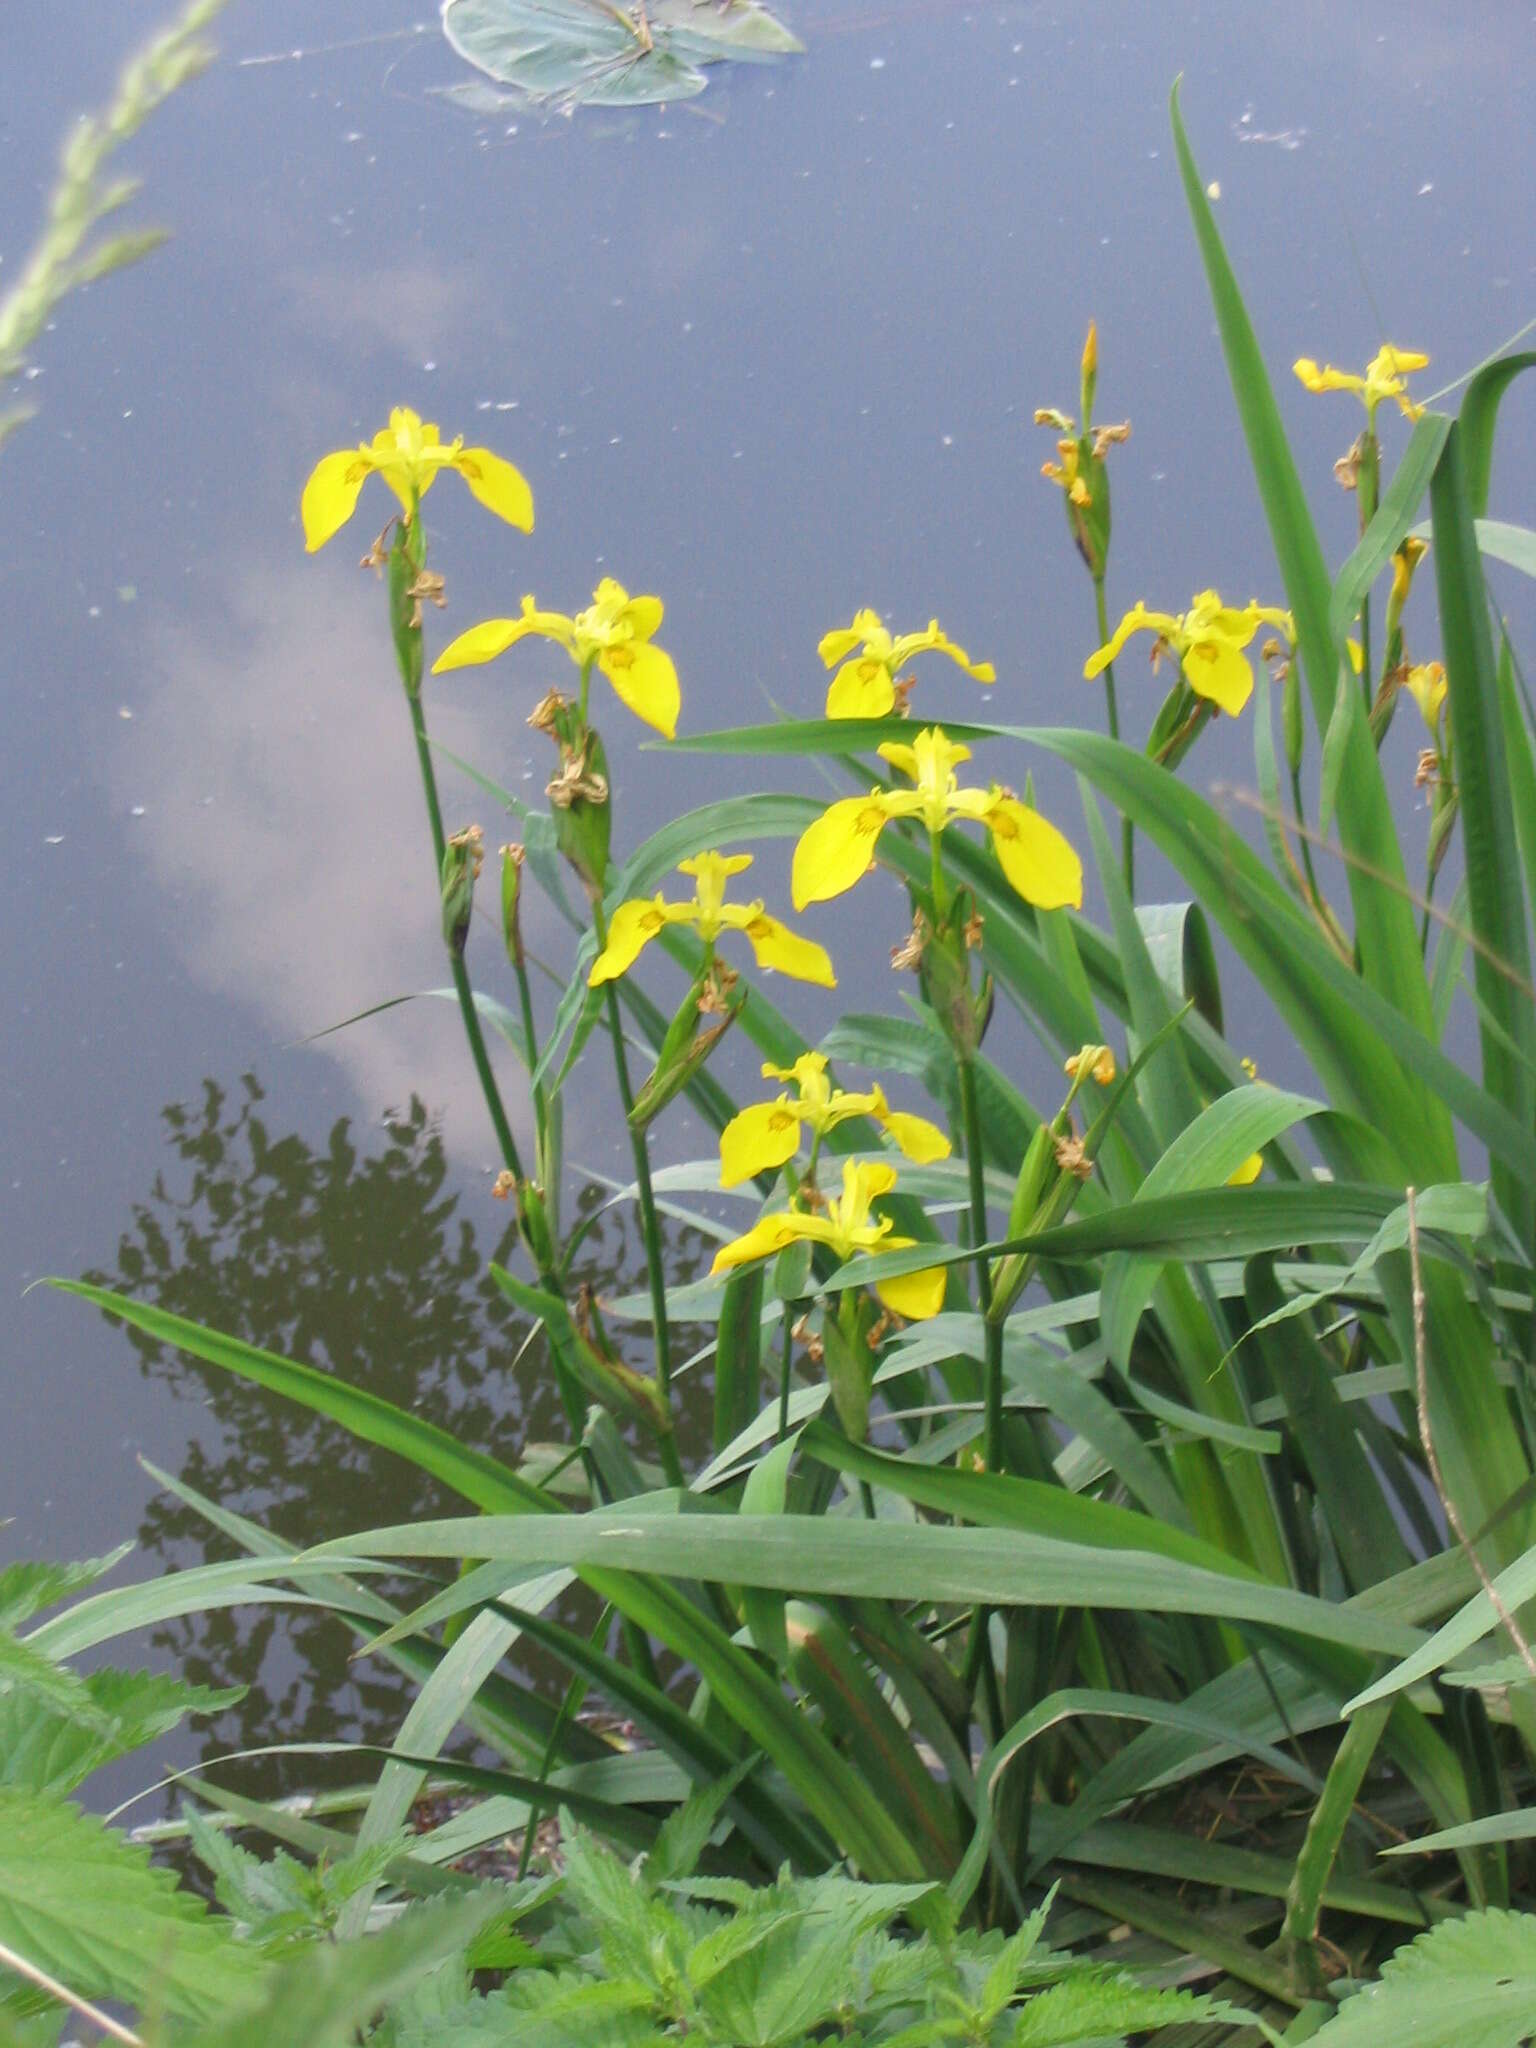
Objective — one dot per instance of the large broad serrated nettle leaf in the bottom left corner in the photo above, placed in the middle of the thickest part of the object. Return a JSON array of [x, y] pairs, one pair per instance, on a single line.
[[89, 1908]]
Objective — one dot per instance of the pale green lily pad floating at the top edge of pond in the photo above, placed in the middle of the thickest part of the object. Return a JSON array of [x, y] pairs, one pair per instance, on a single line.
[[597, 54]]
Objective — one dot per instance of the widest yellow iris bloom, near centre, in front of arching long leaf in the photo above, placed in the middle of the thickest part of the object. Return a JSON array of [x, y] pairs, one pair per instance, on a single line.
[[839, 849]]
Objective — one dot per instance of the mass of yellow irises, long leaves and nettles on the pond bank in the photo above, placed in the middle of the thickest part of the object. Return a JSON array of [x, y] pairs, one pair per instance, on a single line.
[[1168, 1562]]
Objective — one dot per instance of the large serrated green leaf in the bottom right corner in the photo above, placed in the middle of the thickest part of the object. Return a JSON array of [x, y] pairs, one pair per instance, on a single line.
[[1469, 1983]]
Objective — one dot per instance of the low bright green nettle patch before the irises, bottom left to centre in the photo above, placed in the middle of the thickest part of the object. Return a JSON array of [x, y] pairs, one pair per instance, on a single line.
[[601, 1955]]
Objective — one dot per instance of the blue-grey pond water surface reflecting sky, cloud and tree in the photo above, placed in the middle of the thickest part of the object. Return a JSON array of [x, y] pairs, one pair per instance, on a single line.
[[775, 355]]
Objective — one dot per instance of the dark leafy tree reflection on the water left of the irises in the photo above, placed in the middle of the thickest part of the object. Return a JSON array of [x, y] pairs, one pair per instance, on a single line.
[[355, 1258]]
